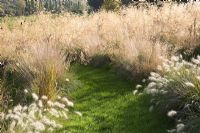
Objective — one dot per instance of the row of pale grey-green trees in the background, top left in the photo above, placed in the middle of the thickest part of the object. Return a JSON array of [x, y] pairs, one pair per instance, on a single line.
[[27, 7]]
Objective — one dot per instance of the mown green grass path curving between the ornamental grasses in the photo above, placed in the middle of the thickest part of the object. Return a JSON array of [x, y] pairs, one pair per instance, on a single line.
[[109, 106]]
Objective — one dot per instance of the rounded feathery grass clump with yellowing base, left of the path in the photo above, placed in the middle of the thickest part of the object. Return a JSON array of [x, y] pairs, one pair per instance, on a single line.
[[42, 66]]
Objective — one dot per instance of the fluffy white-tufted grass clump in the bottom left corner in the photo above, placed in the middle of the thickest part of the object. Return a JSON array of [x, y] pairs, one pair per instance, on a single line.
[[40, 116]]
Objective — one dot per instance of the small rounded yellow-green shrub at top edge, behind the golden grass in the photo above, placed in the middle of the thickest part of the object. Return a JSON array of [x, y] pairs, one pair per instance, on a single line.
[[112, 5]]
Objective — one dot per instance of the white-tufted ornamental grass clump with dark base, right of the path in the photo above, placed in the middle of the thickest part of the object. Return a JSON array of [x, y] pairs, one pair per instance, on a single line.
[[176, 91]]
